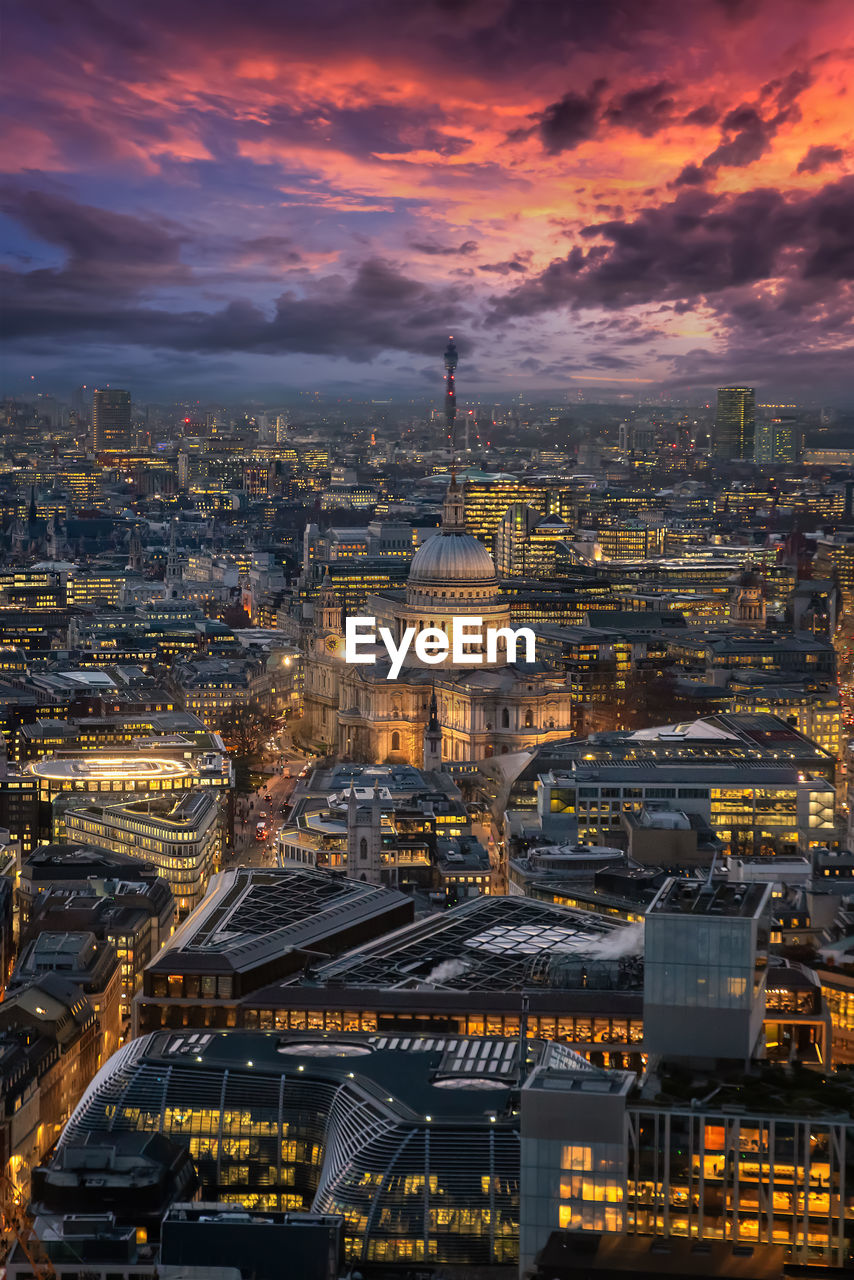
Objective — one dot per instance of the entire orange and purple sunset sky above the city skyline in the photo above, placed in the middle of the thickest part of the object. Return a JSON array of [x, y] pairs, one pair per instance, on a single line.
[[211, 198]]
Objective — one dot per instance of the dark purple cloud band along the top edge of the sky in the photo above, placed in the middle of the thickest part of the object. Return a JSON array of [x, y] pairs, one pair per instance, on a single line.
[[486, 36]]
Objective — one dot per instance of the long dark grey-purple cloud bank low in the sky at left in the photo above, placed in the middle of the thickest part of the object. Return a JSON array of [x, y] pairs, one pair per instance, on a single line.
[[97, 298]]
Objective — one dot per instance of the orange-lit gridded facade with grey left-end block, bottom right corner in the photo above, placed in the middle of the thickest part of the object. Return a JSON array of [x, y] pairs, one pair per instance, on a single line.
[[746, 1168]]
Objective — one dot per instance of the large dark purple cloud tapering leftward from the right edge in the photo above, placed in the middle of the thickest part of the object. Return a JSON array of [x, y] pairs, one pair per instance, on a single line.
[[696, 248]]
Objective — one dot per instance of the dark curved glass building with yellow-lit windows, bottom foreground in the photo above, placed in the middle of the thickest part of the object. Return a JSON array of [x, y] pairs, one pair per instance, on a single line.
[[330, 1133]]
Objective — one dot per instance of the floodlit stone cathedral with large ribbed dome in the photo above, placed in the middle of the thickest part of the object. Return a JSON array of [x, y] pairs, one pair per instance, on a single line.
[[490, 711]]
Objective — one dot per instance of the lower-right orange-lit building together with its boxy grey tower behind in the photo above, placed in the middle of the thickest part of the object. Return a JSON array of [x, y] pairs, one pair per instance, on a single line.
[[721, 1150]]
